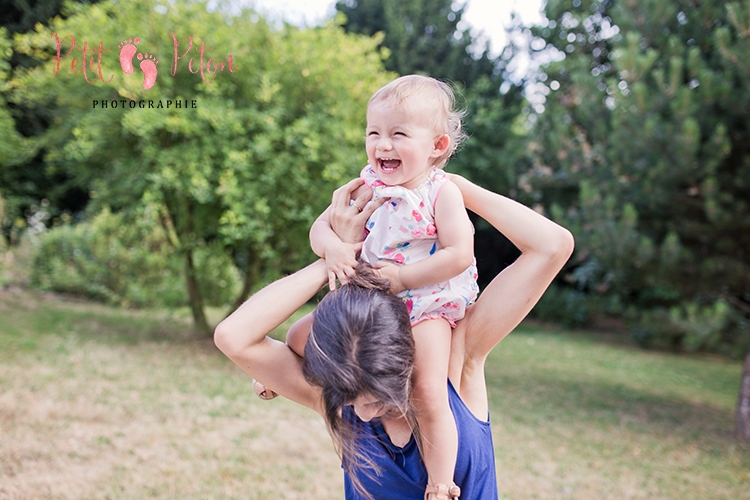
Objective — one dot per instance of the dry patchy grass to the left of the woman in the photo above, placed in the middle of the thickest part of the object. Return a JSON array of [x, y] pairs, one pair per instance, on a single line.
[[88, 415]]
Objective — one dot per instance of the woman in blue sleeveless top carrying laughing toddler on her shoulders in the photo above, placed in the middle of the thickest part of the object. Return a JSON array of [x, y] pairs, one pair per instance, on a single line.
[[367, 405]]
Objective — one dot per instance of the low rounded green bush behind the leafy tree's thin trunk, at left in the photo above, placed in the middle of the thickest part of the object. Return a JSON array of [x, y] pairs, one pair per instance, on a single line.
[[127, 262]]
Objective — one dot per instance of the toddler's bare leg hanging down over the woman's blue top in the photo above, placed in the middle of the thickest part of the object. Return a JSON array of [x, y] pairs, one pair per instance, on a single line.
[[430, 397]]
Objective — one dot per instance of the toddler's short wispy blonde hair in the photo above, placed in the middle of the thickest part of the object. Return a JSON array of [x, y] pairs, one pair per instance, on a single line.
[[437, 96]]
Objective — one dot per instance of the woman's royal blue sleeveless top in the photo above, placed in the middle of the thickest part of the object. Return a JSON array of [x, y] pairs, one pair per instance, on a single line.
[[402, 473]]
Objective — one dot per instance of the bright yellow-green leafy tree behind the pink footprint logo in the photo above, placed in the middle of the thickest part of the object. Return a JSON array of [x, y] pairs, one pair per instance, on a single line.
[[266, 126]]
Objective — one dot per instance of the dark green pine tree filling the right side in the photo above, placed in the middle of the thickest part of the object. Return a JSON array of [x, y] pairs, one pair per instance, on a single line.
[[645, 144]]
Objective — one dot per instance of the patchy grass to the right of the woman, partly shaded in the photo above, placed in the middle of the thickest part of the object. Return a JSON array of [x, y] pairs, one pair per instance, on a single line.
[[580, 419]]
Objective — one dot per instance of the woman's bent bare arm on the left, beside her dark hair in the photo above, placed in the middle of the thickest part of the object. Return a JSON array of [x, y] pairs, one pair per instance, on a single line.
[[242, 336]]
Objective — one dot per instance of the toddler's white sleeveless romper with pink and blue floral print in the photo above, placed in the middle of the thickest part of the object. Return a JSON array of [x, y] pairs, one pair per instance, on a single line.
[[403, 231]]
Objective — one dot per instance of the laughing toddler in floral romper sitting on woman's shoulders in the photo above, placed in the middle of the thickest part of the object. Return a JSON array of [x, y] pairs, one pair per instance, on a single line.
[[421, 239]]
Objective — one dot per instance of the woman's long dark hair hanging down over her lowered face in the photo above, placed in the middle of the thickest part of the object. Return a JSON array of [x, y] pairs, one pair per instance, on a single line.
[[360, 343]]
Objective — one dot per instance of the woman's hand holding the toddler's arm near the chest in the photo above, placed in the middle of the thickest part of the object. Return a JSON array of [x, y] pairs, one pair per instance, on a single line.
[[350, 208]]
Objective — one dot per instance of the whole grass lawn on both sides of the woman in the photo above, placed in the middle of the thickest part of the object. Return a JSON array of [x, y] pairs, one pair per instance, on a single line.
[[99, 402]]
